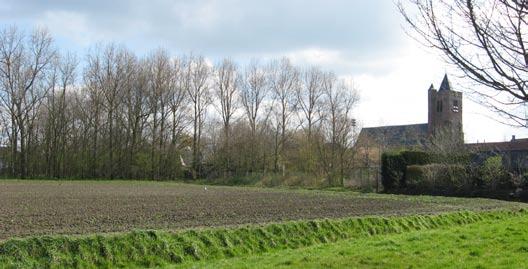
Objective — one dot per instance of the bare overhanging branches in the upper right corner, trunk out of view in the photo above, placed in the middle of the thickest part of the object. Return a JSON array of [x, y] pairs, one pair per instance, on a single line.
[[485, 40]]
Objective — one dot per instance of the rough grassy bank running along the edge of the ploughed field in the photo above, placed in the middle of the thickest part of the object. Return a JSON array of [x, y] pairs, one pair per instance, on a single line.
[[158, 248]]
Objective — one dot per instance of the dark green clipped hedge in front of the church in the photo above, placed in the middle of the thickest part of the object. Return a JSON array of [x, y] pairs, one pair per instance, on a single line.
[[458, 174]]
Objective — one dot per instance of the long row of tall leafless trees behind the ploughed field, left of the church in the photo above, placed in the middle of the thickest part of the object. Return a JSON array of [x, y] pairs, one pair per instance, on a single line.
[[113, 114]]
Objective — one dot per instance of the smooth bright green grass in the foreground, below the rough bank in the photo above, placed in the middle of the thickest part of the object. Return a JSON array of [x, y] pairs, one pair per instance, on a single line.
[[488, 244]]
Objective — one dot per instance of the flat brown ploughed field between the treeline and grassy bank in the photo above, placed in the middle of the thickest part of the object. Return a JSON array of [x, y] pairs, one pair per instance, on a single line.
[[30, 207]]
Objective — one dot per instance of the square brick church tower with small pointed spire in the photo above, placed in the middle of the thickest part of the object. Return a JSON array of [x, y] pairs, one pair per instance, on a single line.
[[445, 111]]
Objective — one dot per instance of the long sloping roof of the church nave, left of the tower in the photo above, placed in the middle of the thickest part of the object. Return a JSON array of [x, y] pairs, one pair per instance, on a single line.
[[395, 136]]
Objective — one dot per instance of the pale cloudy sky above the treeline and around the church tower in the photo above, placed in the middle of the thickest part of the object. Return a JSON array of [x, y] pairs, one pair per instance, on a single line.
[[362, 40]]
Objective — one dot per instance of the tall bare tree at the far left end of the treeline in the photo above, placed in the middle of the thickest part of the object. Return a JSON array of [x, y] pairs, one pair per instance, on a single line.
[[24, 64]]
